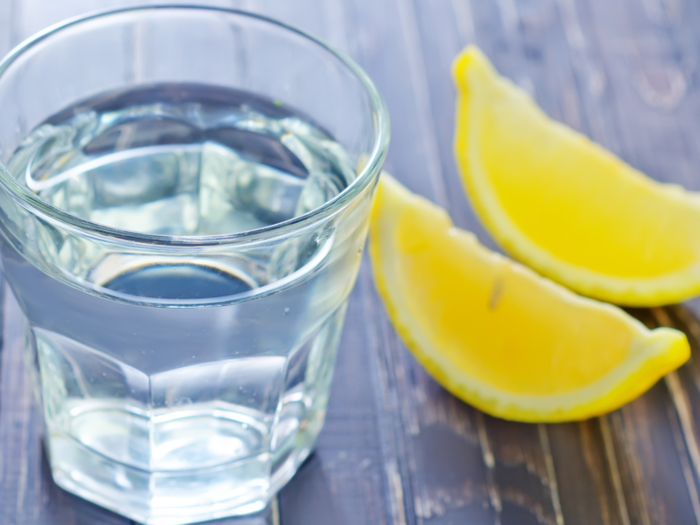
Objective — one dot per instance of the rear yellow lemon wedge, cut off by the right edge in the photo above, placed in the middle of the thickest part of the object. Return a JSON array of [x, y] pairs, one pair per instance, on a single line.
[[564, 205]]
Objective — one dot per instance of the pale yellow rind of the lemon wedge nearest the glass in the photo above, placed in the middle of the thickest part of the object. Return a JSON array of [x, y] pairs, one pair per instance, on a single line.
[[653, 354]]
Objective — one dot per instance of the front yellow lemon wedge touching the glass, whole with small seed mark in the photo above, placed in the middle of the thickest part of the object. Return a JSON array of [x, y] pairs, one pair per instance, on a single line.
[[497, 335]]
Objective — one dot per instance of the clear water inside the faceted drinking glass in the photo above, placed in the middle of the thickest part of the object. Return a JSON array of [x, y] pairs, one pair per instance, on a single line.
[[181, 384]]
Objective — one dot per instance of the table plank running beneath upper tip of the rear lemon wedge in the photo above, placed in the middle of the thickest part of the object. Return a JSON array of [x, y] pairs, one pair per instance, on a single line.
[[528, 44]]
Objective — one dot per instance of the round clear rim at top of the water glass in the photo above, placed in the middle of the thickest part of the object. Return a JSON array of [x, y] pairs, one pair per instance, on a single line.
[[65, 220]]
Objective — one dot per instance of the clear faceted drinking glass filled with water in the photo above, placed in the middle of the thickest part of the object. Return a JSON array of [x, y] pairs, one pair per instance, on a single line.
[[184, 202]]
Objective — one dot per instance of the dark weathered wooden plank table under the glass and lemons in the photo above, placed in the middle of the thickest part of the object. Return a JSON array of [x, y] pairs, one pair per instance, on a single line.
[[397, 449]]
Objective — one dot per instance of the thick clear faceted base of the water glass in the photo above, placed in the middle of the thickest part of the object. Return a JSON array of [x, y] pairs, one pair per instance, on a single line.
[[172, 498]]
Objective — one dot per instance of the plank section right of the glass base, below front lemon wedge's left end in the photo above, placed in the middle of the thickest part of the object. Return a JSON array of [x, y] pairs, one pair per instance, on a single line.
[[441, 470]]
